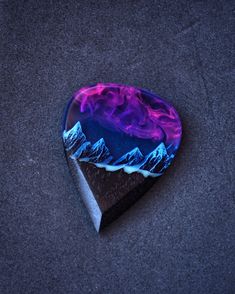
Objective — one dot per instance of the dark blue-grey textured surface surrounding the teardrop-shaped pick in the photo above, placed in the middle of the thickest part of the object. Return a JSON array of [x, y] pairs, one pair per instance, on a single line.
[[179, 238]]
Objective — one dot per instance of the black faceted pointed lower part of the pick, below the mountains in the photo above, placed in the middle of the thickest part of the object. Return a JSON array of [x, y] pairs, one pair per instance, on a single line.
[[113, 192]]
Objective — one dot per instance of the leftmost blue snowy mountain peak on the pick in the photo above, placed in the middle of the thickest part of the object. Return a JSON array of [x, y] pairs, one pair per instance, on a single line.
[[74, 137]]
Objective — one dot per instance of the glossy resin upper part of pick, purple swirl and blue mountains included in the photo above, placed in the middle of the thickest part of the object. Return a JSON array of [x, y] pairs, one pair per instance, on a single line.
[[121, 127]]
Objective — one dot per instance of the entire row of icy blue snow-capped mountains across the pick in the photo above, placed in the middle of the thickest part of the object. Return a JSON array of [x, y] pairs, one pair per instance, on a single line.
[[98, 153]]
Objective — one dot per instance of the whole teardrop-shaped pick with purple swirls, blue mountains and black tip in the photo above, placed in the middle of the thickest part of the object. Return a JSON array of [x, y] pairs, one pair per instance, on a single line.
[[117, 140]]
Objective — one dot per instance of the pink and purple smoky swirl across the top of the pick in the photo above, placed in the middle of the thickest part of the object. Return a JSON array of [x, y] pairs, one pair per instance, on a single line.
[[130, 110]]
